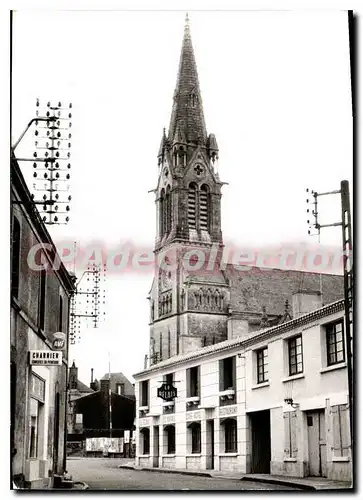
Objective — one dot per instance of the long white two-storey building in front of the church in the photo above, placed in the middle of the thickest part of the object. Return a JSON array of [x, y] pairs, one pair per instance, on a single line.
[[275, 401]]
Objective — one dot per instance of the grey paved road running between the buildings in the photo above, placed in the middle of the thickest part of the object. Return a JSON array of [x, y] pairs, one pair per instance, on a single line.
[[101, 474]]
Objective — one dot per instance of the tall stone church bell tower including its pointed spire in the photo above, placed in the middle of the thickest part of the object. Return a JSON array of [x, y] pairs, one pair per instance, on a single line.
[[188, 307]]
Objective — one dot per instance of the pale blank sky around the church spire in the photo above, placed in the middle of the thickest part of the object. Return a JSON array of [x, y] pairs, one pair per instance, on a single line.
[[276, 93]]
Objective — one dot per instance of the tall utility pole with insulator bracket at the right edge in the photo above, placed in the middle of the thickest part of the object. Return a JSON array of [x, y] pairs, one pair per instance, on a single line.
[[347, 246]]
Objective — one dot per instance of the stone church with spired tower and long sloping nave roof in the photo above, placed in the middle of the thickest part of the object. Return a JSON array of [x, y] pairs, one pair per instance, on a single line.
[[194, 305]]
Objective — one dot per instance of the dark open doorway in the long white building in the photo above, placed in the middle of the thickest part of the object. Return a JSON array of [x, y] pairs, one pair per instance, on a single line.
[[261, 441]]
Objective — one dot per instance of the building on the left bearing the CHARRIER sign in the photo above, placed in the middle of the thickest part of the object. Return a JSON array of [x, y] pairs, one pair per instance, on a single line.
[[40, 297]]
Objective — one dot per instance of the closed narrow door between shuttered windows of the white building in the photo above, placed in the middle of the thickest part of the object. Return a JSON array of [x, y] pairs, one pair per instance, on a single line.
[[316, 442]]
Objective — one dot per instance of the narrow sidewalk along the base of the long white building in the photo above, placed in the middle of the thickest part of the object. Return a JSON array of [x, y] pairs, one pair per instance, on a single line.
[[306, 483]]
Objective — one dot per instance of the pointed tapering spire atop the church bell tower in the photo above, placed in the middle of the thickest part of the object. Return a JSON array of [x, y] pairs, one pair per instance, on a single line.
[[187, 118]]
